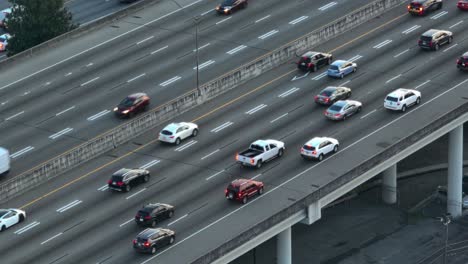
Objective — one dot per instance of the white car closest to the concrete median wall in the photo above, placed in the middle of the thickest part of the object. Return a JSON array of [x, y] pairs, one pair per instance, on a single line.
[[176, 132]]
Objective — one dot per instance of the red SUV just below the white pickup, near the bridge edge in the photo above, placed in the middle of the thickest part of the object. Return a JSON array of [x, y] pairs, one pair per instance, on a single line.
[[242, 189]]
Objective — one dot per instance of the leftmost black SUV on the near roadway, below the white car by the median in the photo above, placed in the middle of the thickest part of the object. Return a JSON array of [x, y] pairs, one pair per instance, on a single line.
[[124, 179]]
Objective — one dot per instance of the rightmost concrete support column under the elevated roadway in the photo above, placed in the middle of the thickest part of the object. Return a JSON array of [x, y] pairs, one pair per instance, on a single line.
[[455, 172]]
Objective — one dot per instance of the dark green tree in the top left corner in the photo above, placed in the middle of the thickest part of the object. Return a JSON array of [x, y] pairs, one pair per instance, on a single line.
[[32, 22]]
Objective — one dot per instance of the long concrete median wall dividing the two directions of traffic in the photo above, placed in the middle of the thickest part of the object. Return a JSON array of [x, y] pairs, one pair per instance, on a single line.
[[123, 133]]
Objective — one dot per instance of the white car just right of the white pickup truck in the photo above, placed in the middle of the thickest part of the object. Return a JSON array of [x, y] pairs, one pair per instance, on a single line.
[[318, 147]]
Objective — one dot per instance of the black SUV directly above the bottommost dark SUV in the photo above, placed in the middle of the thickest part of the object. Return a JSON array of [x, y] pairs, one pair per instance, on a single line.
[[150, 214]]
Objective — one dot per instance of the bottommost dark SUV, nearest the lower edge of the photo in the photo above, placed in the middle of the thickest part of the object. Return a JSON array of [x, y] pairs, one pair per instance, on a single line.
[[152, 238]]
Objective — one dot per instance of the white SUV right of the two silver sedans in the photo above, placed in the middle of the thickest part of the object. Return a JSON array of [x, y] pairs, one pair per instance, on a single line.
[[401, 98]]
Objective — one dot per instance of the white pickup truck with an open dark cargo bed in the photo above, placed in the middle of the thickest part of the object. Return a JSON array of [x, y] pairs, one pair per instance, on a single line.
[[260, 151]]
